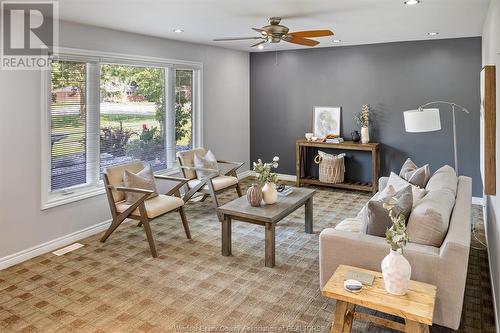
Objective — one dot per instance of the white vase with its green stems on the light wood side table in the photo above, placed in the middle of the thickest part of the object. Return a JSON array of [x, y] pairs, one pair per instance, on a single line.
[[396, 270]]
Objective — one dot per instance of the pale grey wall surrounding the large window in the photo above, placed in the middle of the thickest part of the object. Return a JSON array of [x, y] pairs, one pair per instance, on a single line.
[[226, 130]]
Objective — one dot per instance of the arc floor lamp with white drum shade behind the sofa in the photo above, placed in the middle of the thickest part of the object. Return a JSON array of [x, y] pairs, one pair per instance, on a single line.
[[428, 120]]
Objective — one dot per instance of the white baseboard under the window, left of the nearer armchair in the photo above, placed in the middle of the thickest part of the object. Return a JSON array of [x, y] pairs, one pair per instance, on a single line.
[[52, 245]]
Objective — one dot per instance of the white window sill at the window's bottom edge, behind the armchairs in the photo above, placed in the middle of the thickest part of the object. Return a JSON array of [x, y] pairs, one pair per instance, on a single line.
[[77, 194]]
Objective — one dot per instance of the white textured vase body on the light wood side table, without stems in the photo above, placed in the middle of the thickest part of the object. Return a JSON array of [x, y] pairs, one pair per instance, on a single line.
[[396, 271]]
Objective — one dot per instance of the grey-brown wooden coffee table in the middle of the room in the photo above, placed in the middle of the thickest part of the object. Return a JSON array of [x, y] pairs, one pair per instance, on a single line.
[[267, 216]]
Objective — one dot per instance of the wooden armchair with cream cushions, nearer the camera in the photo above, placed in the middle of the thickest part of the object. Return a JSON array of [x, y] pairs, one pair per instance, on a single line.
[[142, 210]]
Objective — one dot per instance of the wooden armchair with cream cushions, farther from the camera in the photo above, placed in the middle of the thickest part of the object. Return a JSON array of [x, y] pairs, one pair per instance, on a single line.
[[211, 185]]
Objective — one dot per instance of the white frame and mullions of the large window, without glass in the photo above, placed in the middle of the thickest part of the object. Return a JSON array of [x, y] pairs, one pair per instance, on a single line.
[[51, 199]]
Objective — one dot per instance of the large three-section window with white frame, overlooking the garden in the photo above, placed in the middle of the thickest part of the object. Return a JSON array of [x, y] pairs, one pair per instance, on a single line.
[[105, 113]]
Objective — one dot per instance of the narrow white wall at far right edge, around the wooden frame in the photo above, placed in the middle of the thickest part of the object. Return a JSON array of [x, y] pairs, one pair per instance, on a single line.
[[491, 56]]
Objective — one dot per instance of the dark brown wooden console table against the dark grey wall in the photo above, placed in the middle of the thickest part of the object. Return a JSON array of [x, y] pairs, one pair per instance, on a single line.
[[373, 148]]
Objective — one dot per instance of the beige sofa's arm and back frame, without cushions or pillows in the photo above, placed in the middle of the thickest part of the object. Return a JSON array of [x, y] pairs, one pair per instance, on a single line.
[[444, 266]]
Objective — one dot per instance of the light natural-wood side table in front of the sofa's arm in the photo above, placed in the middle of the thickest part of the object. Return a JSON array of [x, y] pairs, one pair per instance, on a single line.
[[416, 307]]
